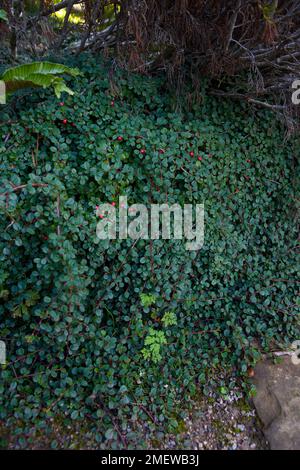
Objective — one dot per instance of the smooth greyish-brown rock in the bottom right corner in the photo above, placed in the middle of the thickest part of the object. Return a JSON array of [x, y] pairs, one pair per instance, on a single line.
[[278, 402]]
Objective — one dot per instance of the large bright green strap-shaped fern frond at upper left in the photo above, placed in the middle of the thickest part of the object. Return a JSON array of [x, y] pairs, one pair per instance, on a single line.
[[38, 74]]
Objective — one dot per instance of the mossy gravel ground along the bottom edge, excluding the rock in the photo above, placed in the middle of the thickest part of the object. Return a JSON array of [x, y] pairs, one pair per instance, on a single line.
[[214, 422]]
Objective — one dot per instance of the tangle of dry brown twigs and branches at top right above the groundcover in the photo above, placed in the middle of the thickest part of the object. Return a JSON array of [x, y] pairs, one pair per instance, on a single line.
[[257, 41]]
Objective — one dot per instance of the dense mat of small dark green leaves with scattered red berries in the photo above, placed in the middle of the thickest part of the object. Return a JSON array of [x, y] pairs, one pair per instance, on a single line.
[[120, 332]]
